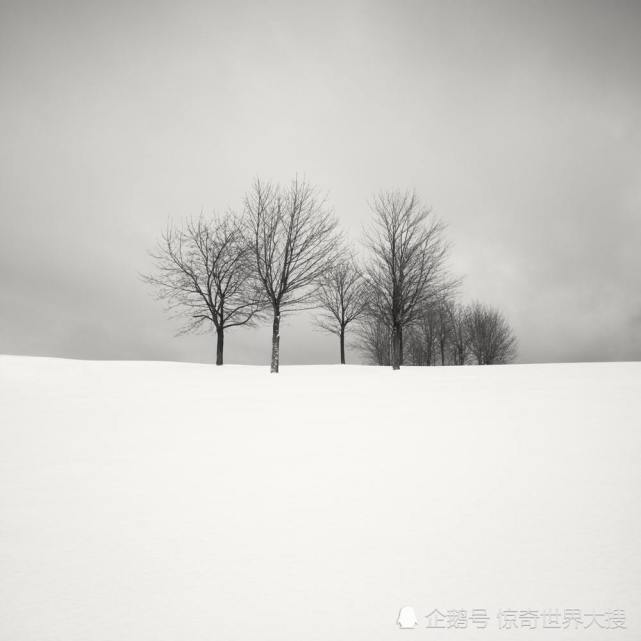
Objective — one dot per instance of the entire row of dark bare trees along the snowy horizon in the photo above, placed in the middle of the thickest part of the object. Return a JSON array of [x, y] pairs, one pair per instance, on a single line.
[[284, 253]]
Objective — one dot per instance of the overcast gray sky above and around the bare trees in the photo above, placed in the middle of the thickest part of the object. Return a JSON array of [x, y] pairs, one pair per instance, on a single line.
[[518, 122]]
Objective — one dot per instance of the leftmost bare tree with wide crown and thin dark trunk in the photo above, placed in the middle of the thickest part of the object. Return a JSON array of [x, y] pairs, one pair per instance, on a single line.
[[204, 271]]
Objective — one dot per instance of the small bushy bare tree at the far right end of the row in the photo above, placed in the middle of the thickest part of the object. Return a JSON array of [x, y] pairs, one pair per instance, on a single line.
[[490, 336]]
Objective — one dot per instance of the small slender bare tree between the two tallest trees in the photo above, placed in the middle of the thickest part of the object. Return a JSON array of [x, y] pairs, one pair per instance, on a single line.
[[341, 298]]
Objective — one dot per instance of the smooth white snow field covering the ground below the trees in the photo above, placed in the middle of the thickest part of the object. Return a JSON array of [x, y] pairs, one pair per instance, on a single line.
[[152, 501]]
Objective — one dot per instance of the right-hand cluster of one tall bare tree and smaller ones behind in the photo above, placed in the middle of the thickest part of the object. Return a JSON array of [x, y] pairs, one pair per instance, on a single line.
[[412, 314]]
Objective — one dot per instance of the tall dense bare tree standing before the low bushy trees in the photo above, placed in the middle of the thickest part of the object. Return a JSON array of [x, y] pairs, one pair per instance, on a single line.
[[406, 268]]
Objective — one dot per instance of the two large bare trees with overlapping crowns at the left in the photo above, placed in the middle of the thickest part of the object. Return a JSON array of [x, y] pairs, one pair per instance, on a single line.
[[232, 271]]
